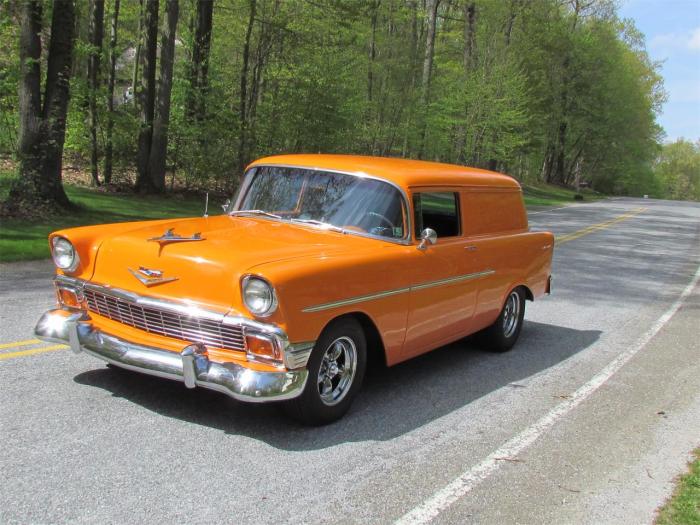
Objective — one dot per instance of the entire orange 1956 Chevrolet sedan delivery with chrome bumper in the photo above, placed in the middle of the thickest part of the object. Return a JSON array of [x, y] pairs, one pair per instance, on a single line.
[[321, 262]]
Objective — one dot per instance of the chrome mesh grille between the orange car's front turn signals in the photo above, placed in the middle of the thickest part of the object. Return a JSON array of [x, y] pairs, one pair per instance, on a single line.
[[164, 322]]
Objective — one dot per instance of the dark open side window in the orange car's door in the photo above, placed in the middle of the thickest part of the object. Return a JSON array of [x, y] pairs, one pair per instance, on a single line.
[[437, 210]]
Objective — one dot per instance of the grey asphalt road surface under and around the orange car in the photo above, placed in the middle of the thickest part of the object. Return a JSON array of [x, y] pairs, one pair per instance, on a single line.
[[587, 420]]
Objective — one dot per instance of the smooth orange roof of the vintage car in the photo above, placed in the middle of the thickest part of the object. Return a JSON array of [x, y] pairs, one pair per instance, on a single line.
[[402, 172]]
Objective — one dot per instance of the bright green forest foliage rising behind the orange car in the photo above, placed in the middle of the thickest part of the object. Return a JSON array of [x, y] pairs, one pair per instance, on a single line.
[[543, 84]]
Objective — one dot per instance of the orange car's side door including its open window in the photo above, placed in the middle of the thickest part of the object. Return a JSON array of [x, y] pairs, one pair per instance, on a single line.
[[443, 292]]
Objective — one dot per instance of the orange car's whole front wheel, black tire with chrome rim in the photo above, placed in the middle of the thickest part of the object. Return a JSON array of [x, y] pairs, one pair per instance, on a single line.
[[316, 404]]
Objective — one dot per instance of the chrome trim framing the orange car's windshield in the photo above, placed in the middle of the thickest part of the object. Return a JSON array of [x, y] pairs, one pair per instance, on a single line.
[[405, 240]]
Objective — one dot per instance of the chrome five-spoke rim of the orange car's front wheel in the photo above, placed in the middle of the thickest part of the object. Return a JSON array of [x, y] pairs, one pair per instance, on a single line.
[[337, 370]]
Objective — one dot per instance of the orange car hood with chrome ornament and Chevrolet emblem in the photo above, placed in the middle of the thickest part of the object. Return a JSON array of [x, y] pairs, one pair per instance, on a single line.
[[208, 271]]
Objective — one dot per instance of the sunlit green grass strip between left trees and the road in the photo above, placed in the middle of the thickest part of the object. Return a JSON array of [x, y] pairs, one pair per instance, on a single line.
[[22, 240]]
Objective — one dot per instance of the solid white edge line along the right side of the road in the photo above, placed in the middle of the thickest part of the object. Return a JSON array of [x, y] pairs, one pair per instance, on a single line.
[[442, 499]]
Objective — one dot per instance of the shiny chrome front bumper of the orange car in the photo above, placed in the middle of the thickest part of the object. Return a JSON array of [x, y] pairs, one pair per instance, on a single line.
[[191, 366]]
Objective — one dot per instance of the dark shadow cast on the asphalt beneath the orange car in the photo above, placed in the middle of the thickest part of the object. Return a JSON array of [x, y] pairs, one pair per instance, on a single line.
[[392, 402]]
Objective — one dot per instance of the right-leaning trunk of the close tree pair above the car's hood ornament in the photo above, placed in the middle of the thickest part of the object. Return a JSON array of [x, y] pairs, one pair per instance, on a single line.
[[159, 146]]
